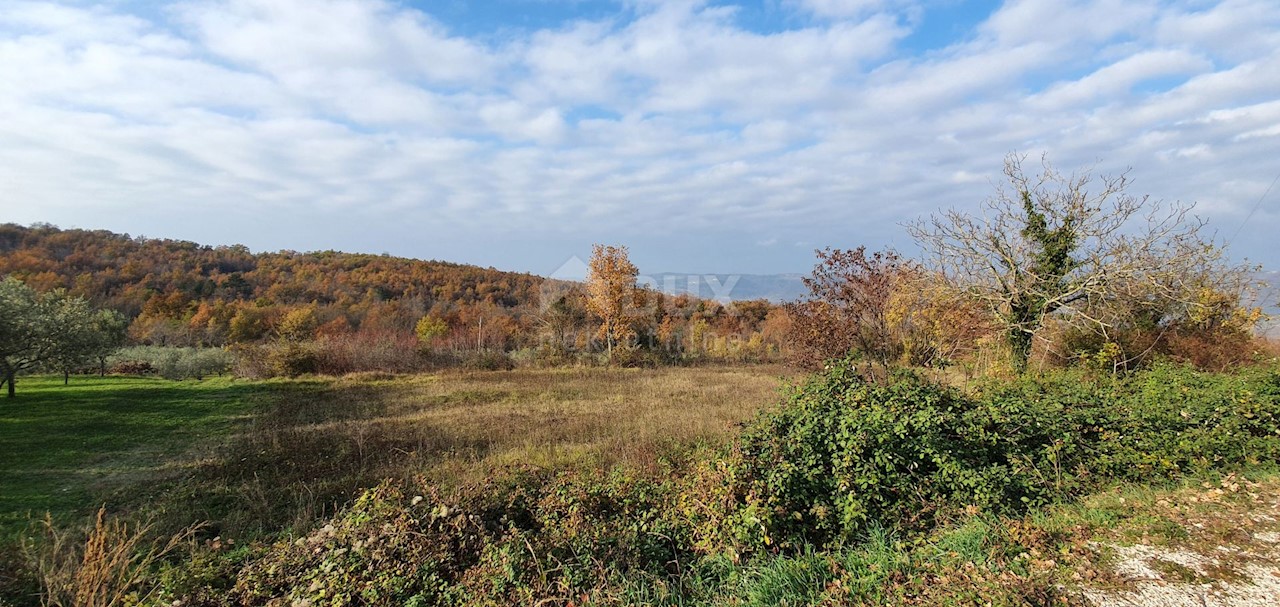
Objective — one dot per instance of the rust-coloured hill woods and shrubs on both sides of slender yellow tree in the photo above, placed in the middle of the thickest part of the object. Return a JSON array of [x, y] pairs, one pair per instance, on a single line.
[[289, 313]]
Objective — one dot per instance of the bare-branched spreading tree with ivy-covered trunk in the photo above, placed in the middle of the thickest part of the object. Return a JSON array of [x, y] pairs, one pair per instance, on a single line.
[[1064, 247]]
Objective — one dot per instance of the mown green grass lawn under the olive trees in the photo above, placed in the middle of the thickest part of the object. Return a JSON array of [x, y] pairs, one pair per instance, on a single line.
[[63, 448]]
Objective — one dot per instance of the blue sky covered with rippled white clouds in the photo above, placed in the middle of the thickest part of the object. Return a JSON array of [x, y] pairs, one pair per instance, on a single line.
[[706, 136]]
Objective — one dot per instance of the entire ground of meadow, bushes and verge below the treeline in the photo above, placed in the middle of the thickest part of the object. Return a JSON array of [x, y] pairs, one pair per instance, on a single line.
[[715, 486]]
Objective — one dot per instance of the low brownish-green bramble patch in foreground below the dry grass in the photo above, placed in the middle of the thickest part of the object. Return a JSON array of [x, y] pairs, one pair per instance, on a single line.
[[523, 538]]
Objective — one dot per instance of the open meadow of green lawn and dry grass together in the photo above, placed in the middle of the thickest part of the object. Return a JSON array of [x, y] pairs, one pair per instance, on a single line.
[[254, 457]]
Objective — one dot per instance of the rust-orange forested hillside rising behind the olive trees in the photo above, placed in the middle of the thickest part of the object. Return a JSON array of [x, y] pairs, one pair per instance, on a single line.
[[184, 293]]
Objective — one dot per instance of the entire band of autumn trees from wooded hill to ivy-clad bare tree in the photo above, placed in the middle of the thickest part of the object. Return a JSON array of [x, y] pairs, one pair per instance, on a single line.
[[1055, 271]]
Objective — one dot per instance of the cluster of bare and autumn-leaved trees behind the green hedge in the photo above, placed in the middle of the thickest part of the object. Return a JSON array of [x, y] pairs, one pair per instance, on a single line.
[[1071, 267]]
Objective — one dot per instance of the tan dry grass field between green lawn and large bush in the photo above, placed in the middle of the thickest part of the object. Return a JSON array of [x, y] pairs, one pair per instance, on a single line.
[[454, 427]]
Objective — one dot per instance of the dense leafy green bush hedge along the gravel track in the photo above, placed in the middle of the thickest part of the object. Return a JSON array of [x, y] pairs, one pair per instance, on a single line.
[[844, 454]]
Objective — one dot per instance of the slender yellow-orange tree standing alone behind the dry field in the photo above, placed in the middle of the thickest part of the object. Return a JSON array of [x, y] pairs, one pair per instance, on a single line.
[[611, 286]]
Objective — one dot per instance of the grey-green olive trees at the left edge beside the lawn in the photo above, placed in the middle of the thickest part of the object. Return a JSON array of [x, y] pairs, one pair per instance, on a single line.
[[53, 331]]
